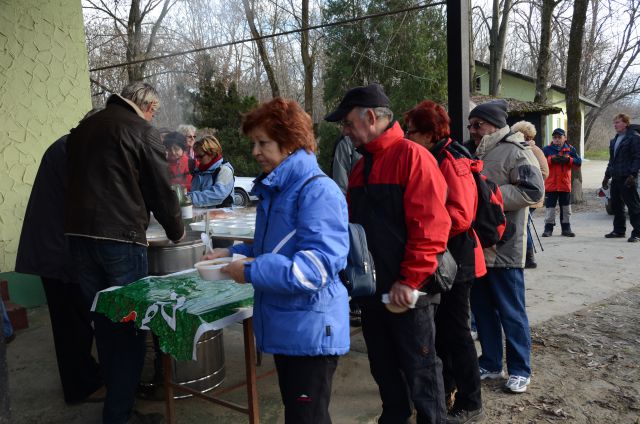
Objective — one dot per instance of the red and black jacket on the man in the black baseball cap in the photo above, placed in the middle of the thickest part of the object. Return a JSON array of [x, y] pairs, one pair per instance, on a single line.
[[402, 209]]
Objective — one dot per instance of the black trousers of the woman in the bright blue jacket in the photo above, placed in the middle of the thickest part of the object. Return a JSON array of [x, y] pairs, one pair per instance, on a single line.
[[305, 387]]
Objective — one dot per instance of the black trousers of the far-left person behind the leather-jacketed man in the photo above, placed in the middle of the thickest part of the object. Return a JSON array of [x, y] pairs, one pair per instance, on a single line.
[[73, 338]]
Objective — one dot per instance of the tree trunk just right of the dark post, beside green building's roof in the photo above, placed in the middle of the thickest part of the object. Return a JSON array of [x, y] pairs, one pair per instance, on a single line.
[[497, 44]]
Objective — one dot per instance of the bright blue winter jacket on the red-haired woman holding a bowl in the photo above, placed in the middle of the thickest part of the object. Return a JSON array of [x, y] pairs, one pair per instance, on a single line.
[[301, 242]]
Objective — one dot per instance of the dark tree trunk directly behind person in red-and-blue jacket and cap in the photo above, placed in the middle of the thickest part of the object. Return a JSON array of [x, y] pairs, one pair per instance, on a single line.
[[574, 117]]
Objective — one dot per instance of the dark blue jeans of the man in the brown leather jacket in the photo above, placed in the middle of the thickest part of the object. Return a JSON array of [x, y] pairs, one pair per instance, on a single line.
[[121, 348]]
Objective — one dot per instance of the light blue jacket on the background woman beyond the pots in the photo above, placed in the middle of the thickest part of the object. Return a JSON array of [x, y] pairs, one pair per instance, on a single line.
[[204, 192]]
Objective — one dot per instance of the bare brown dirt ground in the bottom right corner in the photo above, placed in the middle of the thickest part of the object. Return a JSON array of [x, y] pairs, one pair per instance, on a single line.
[[585, 368]]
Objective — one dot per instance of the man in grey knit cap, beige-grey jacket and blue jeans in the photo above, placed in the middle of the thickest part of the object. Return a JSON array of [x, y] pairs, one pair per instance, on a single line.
[[498, 299]]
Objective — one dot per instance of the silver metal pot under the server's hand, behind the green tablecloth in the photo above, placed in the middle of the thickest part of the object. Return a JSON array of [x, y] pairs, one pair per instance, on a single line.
[[166, 257]]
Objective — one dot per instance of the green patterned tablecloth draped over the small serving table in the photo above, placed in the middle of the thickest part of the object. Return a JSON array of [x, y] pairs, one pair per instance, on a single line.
[[178, 308]]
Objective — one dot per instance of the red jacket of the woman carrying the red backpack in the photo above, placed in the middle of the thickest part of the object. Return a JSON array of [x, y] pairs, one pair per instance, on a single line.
[[462, 204]]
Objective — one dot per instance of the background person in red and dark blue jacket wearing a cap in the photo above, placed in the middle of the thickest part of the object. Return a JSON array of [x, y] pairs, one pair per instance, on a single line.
[[561, 157]]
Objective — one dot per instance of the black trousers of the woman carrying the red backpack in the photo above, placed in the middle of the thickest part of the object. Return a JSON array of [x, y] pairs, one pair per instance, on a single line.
[[456, 349]]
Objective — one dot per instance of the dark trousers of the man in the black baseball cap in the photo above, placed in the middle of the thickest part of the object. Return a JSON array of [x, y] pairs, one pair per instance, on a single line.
[[404, 364]]
